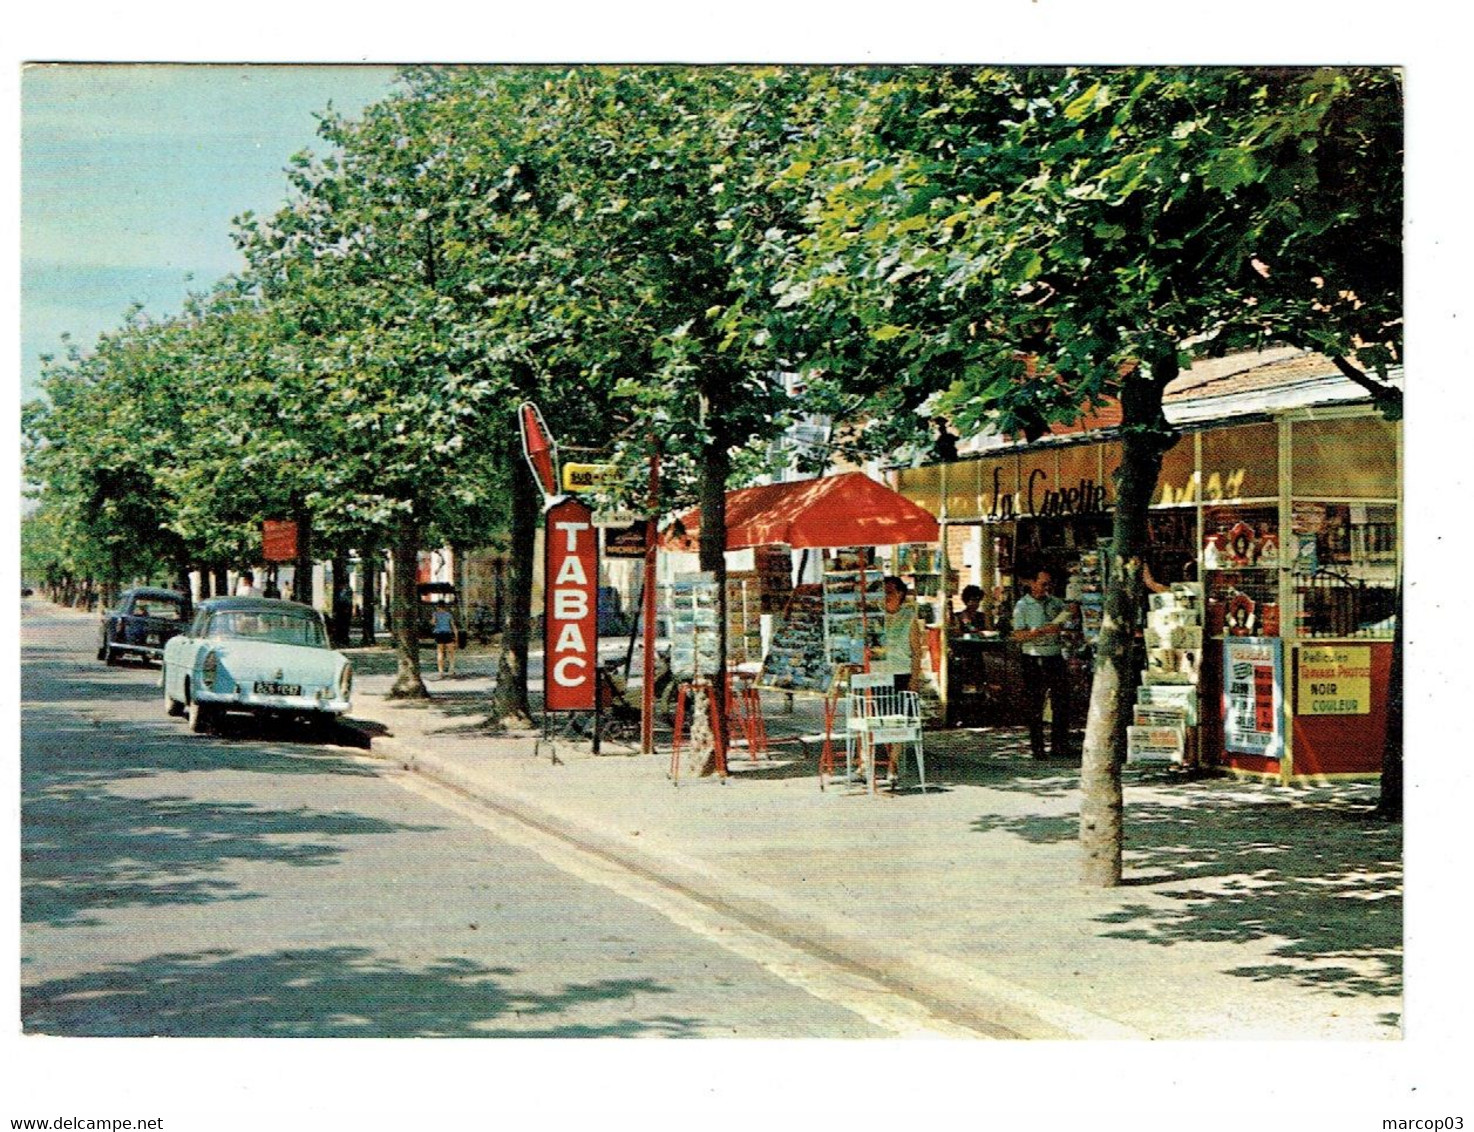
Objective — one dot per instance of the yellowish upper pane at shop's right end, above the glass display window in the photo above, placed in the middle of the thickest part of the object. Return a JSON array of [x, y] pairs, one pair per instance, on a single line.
[[1346, 459]]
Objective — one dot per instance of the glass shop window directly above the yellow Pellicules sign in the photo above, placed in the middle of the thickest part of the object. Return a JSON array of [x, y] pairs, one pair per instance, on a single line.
[[1345, 570]]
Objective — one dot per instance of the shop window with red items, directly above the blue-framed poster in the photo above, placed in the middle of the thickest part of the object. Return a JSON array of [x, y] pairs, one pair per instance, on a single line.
[[1242, 571]]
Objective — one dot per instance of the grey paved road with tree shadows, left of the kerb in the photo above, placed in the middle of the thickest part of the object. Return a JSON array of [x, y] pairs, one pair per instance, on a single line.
[[256, 884]]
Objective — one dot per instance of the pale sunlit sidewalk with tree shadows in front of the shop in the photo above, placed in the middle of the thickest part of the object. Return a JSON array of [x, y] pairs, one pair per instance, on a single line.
[[1249, 912]]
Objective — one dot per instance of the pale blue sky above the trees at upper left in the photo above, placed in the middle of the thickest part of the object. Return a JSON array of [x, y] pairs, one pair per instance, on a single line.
[[130, 176]]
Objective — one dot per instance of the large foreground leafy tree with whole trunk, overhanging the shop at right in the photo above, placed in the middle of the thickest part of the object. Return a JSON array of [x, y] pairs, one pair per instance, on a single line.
[[1028, 242]]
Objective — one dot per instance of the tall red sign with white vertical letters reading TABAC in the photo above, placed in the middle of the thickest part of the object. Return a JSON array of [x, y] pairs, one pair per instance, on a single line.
[[571, 611]]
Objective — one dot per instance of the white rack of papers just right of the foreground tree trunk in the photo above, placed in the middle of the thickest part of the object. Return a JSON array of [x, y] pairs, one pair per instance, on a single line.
[[1167, 714]]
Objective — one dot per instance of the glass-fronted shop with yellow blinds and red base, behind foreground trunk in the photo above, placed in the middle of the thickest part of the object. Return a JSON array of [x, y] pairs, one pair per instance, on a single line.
[[1292, 524]]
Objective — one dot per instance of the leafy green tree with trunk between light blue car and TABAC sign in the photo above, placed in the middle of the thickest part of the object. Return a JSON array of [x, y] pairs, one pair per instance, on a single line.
[[394, 396]]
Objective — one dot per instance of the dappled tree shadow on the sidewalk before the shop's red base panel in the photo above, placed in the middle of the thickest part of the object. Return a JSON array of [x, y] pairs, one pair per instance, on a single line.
[[1316, 878]]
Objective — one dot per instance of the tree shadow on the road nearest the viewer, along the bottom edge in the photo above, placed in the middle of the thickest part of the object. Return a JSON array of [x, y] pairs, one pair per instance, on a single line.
[[337, 993]]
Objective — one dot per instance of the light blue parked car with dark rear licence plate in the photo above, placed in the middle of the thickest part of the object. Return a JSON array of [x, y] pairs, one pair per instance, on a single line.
[[256, 655]]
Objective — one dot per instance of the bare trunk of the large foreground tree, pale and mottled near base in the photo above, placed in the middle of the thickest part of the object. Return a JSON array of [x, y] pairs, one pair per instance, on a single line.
[[1146, 437]]
